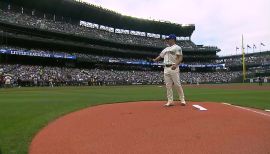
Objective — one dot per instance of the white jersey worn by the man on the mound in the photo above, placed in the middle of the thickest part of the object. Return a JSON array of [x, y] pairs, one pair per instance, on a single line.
[[169, 54]]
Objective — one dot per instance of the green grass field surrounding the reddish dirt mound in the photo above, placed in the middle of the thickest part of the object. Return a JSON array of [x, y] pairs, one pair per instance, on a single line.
[[24, 111]]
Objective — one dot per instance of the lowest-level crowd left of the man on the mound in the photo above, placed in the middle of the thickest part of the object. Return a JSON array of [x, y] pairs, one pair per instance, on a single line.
[[39, 75]]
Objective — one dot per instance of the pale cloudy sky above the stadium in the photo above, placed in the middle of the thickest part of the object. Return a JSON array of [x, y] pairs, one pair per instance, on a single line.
[[218, 23]]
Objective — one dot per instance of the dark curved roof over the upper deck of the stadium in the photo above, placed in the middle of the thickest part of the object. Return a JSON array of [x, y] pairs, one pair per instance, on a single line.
[[101, 16]]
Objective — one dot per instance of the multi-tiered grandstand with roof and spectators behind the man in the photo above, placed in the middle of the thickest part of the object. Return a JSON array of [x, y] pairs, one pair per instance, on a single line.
[[44, 41]]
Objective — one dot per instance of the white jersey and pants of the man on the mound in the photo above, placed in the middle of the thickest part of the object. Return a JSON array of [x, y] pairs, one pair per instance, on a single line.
[[171, 77]]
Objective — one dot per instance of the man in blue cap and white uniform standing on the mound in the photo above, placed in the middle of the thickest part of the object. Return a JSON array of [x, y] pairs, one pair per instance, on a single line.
[[172, 56]]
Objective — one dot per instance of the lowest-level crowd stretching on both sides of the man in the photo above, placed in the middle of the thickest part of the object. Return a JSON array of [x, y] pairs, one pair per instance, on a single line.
[[26, 75]]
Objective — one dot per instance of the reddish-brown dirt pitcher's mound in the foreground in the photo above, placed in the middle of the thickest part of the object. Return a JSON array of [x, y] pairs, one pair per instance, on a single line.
[[150, 128]]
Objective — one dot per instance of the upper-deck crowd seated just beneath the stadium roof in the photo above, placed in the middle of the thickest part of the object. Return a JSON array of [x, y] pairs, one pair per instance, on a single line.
[[65, 27]]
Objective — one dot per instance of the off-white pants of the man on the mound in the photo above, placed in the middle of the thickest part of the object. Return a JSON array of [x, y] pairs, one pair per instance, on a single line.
[[172, 78]]
